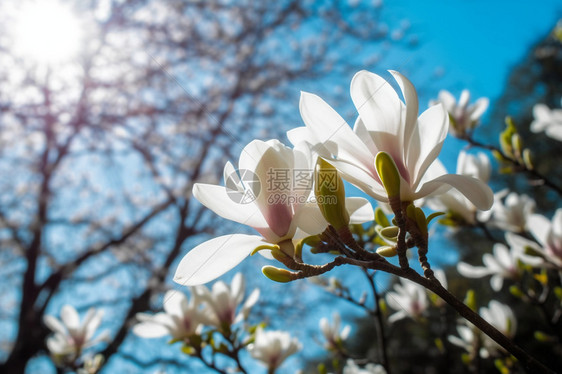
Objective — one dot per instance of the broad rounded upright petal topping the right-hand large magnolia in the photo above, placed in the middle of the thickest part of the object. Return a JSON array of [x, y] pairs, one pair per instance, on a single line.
[[378, 105]]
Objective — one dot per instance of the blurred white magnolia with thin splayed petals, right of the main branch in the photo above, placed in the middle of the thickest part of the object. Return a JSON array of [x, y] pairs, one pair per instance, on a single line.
[[502, 264]]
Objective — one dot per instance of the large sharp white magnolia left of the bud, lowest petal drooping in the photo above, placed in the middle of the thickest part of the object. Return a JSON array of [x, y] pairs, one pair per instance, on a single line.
[[279, 206]]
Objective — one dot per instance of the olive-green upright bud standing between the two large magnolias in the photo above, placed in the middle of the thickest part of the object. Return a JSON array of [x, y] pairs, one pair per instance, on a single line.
[[330, 194]]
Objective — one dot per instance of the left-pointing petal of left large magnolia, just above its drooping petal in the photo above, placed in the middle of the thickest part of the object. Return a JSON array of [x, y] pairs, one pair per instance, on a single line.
[[222, 202]]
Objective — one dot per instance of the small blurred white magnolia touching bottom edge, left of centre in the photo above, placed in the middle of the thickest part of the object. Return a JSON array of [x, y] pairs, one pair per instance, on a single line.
[[273, 347]]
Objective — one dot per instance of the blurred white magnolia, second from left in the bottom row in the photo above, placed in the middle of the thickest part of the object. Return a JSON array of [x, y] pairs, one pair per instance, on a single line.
[[180, 320]]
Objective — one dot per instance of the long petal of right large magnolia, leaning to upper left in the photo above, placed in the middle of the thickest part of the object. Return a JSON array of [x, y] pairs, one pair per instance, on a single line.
[[331, 130]]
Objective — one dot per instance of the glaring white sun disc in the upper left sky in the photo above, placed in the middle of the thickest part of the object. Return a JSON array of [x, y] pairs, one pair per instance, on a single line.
[[47, 32]]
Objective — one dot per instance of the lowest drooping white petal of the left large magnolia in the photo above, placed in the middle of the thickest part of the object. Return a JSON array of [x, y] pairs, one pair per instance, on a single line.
[[215, 257]]
